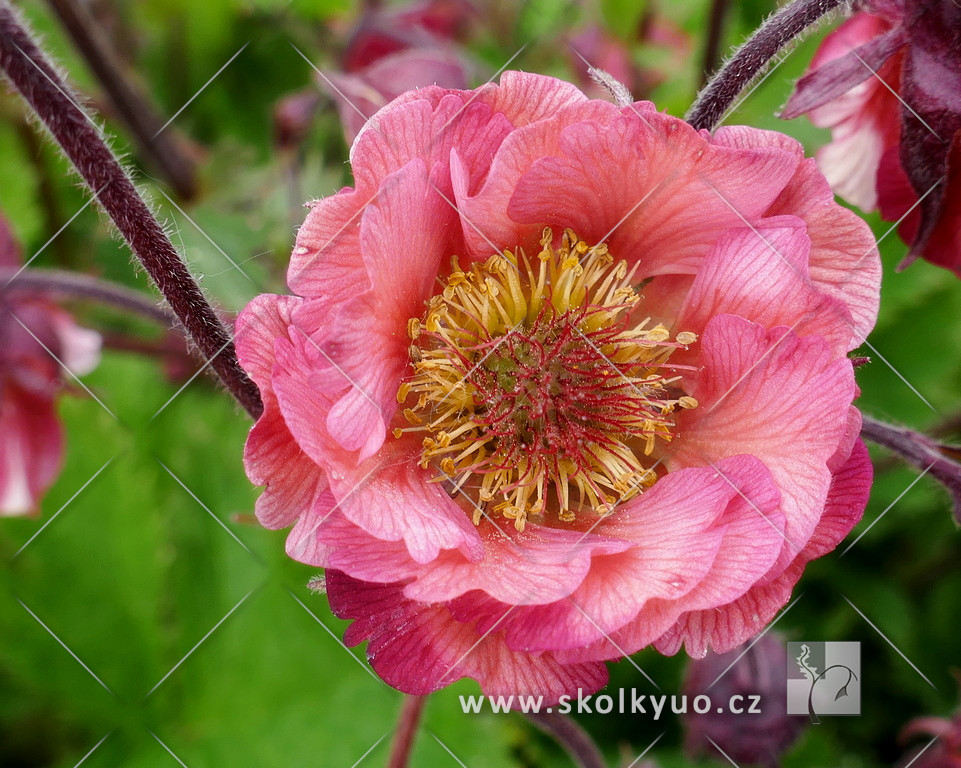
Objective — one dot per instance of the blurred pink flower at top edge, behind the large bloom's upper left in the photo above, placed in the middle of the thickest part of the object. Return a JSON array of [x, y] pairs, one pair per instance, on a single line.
[[396, 50]]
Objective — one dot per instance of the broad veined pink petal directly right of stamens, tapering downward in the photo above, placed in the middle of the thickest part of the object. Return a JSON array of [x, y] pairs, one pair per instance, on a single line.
[[775, 396]]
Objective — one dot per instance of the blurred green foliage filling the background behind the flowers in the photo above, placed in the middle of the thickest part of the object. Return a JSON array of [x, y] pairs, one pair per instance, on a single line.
[[132, 571]]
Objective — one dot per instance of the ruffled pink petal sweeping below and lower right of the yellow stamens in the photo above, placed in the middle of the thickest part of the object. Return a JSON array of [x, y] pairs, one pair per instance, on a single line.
[[699, 537]]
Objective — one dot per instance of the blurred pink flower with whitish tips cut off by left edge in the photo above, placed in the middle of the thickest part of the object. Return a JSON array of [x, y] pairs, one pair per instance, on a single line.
[[31, 438]]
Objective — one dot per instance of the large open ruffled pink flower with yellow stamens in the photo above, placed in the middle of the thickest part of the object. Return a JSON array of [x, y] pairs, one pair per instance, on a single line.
[[561, 380]]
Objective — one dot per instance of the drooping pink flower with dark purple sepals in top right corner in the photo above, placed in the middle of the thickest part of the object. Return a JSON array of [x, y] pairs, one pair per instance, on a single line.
[[887, 83]]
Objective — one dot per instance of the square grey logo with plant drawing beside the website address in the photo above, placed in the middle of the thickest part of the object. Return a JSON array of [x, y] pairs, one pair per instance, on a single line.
[[824, 679]]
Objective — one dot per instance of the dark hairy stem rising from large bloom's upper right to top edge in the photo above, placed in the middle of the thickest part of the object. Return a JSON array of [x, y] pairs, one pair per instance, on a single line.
[[751, 58]]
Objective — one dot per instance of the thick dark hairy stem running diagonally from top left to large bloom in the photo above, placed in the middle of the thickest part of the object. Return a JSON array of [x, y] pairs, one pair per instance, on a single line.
[[38, 82]]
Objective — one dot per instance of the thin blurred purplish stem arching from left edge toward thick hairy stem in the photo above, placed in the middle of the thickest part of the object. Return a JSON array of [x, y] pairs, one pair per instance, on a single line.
[[71, 285]]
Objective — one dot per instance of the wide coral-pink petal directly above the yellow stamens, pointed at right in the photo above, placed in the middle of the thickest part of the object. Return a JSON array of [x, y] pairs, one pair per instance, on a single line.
[[623, 186]]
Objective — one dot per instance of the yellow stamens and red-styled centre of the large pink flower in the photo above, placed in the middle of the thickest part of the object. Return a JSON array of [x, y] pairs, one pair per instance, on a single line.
[[535, 389]]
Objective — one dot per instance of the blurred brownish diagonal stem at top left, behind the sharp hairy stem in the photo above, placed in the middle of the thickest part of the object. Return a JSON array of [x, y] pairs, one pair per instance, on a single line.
[[167, 153]]
